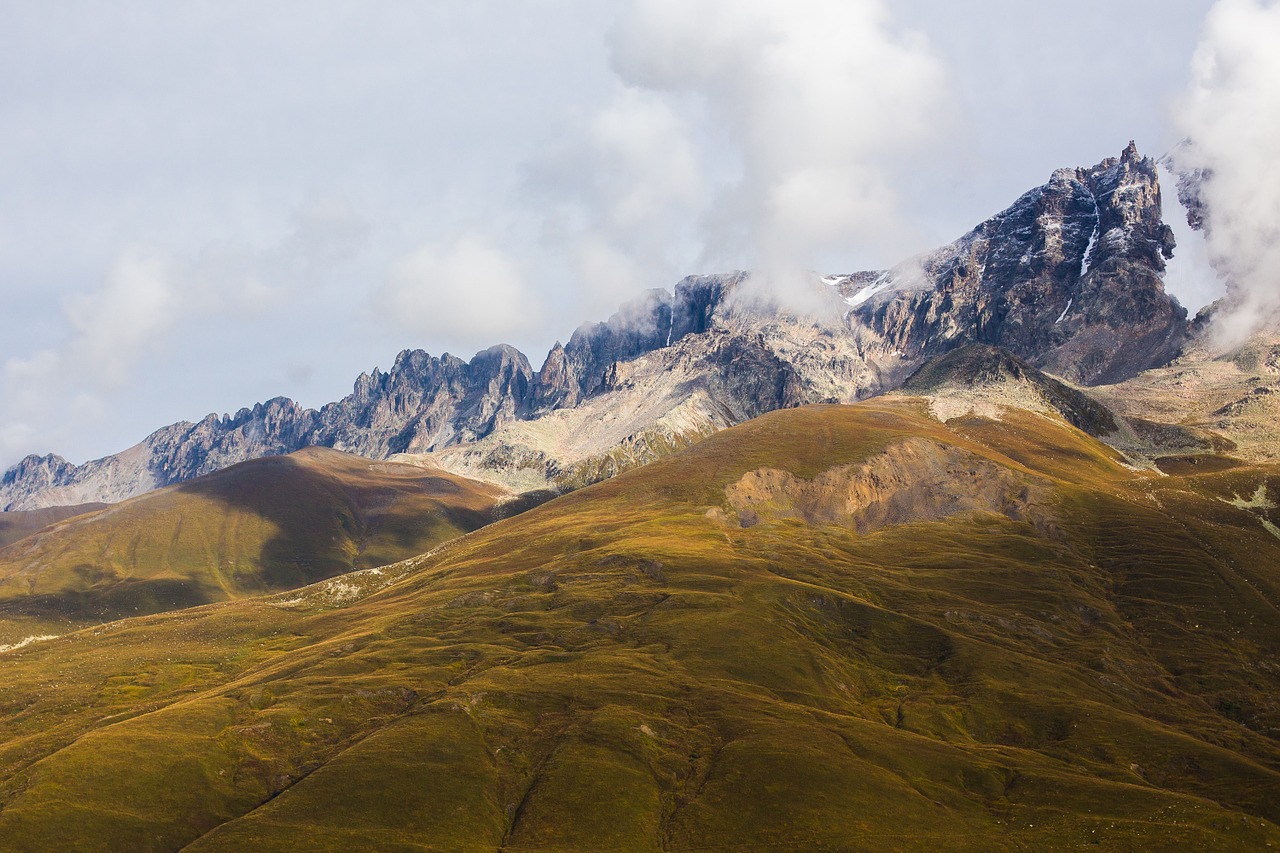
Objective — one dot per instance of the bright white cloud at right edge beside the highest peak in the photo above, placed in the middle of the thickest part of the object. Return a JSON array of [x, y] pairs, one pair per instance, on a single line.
[[1231, 113]]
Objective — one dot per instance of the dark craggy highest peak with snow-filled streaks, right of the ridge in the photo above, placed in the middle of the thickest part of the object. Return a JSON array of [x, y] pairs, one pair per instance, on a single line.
[[1069, 279]]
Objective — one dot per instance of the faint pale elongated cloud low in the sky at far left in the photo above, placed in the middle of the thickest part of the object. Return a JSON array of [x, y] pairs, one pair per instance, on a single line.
[[148, 298]]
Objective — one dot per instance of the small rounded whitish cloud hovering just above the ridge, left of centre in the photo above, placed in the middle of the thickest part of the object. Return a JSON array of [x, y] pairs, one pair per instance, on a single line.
[[468, 294]]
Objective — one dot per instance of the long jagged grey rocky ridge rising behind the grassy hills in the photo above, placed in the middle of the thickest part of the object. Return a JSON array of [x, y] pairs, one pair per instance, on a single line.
[[1069, 279]]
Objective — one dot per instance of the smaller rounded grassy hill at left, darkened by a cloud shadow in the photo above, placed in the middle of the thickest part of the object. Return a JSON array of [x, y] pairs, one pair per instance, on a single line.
[[269, 524]]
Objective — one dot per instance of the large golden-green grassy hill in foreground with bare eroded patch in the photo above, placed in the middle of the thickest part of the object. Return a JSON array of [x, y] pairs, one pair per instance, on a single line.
[[748, 646]]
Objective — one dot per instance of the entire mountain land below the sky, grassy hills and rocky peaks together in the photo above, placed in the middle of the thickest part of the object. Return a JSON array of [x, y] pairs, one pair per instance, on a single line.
[[981, 553]]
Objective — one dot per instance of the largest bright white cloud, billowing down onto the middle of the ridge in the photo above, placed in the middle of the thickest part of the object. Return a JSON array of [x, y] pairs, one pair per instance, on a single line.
[[817, 106]]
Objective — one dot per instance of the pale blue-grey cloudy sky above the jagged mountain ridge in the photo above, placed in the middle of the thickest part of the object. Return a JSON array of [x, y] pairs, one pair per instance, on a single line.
[[204, 206]]
